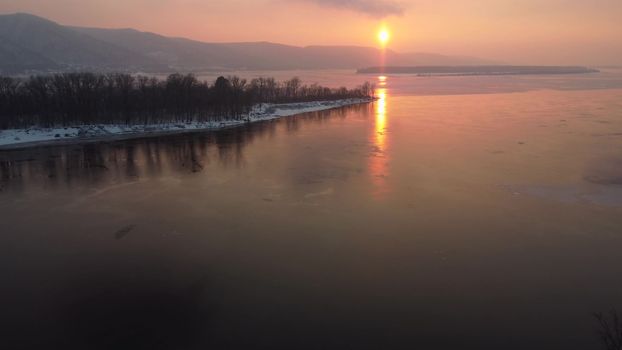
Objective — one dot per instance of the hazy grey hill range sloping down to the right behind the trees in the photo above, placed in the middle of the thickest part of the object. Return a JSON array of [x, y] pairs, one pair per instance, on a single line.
[[31, 43]]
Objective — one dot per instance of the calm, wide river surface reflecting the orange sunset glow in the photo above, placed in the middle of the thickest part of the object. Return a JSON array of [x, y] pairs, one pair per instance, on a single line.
[[454, 212]]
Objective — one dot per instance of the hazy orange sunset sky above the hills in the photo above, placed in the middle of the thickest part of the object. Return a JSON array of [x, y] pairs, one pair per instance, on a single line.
[[587, 32]]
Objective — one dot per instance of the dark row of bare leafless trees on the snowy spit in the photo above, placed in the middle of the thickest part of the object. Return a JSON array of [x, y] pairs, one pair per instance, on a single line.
[[89, 98]]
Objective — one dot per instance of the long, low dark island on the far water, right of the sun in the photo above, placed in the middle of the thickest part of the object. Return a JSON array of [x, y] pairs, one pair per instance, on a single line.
[[477, 70]]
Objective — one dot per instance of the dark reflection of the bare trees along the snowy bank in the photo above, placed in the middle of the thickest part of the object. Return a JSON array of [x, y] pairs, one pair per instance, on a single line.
[[94, 163]]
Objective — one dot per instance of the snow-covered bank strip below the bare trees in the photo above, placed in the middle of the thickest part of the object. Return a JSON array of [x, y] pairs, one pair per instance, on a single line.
[[19, 138]]
